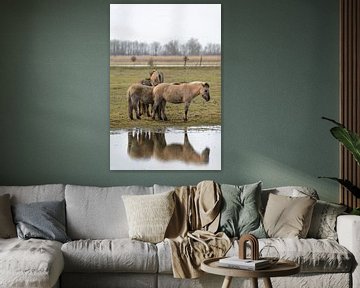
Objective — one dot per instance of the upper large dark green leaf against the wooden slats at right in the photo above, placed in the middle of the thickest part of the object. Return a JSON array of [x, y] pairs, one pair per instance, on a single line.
[[349, 139]]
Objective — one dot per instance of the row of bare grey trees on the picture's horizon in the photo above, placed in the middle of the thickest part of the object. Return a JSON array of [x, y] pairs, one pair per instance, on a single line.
[[173, 47]]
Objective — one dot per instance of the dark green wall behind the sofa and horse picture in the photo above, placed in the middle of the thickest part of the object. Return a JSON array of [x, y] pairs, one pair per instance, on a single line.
[[280, 75]]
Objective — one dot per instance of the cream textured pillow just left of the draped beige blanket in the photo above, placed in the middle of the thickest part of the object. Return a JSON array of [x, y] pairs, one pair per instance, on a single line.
[[149, 215]]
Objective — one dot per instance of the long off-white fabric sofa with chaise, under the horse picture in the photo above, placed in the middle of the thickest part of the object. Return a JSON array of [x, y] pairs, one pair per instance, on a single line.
[[101, 254]]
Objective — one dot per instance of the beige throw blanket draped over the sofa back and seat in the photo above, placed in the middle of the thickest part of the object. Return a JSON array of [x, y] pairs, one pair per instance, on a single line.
[[191, 232]]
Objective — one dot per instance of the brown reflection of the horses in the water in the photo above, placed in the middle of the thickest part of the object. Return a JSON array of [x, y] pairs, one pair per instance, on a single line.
[[146, 144]]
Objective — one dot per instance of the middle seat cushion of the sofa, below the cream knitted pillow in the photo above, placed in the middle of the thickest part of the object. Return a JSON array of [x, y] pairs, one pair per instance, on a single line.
[[110, 255]]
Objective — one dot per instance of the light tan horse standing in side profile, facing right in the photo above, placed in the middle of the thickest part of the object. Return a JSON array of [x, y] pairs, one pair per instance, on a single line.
[[178, 93]]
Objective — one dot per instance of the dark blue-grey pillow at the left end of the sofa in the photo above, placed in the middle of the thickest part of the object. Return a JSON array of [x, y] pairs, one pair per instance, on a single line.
[[44, 220]]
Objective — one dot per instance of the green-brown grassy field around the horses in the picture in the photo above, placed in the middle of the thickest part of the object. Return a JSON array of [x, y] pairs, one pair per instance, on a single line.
[[201, 113]]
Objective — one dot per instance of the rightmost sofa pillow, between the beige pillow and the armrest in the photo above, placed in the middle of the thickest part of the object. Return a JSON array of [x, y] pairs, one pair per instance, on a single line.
[[323, 222]]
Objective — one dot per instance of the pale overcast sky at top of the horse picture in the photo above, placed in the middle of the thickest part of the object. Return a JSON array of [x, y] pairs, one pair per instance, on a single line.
[[165, 22]]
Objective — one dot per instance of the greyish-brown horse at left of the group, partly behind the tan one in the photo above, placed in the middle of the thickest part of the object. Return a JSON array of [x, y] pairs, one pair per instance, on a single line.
[[136, 94]]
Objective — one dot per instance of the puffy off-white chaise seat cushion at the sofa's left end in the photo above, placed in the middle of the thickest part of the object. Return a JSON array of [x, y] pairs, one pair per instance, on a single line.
[[30, 263]]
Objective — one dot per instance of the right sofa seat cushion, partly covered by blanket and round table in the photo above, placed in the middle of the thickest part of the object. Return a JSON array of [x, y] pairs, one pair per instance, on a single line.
[[313, 255]]
